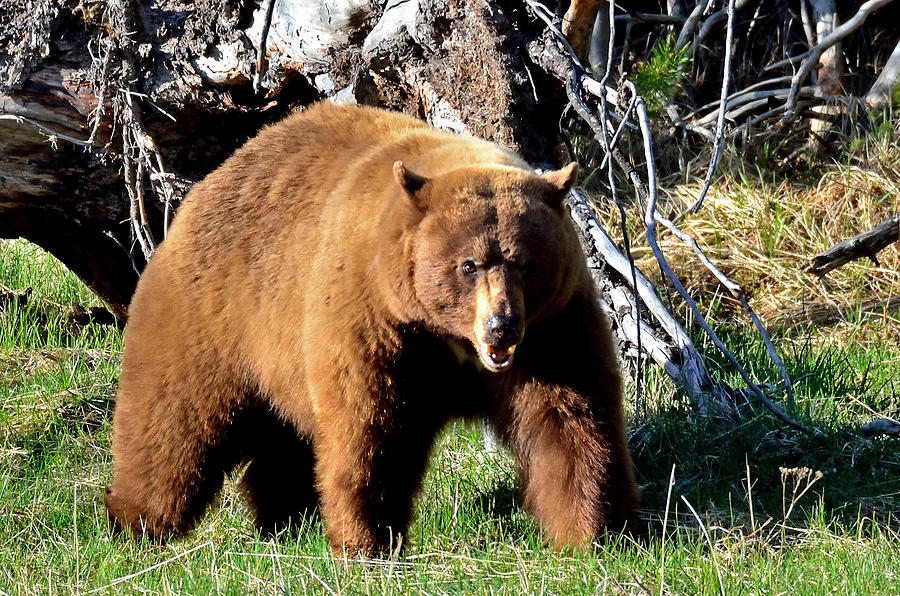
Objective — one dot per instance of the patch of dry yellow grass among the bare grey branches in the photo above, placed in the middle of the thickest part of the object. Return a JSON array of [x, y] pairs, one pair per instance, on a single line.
[[761, 233]]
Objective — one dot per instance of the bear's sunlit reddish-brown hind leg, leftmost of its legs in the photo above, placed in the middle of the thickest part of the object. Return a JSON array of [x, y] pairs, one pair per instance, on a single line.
[[171, 448]]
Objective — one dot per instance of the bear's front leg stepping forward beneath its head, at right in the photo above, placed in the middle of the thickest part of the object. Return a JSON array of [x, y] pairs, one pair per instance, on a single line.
[[562, 413]]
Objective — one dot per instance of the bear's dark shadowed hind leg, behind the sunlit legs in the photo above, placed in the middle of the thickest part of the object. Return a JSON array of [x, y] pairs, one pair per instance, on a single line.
[[279, 482]]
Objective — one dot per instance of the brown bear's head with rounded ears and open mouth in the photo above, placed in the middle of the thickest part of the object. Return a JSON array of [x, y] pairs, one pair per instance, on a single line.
[[491, 252]]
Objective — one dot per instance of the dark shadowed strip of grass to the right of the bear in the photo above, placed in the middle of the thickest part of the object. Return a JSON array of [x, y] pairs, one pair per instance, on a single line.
[[722, 470]]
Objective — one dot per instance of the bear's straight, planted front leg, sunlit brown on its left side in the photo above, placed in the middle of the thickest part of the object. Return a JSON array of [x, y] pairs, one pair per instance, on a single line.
[[371, 448]]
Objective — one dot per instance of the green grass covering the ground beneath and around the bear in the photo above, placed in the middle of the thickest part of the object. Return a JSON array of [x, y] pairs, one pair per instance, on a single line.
[[57, 384]]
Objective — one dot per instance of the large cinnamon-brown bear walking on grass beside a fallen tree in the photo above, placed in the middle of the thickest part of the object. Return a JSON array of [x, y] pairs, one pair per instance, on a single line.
[[345, 284]]
